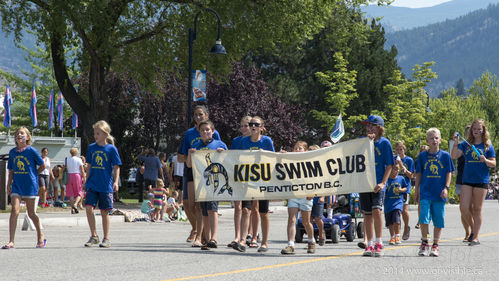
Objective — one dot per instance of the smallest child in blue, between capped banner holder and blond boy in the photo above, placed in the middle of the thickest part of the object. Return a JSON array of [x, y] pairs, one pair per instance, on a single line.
[[396, 186]]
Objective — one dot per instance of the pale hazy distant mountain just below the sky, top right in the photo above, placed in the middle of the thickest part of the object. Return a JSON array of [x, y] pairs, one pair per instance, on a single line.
[[401, 18]]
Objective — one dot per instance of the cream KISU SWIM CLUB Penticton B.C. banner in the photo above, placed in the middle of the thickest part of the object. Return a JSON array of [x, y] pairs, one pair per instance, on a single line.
[[247, 175]]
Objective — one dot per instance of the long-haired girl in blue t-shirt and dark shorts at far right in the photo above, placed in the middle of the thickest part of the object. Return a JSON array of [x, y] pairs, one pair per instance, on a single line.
[[479, 157]]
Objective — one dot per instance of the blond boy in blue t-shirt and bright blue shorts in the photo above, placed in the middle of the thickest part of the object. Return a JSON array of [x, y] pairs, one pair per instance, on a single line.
[[434, 168]]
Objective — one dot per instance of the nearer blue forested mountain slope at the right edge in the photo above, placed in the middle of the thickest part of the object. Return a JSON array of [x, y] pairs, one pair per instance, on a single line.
[[462, 48]]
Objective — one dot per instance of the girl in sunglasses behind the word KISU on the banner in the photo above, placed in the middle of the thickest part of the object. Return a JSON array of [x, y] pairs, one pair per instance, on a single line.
[[256, 141]]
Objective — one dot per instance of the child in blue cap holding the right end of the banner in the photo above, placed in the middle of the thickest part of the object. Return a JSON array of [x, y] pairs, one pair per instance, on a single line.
[[371, 203]]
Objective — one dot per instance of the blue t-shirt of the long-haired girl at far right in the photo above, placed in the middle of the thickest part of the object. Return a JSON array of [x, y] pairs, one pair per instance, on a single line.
[[474, 170]]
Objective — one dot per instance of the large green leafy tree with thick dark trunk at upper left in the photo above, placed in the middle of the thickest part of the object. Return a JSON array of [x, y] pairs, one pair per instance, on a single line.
[[144, 36]]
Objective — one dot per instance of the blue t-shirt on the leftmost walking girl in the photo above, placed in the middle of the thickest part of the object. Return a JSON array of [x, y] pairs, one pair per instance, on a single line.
[[25, 174]]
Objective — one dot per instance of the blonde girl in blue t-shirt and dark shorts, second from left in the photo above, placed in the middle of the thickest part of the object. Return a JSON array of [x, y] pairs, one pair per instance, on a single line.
[[104, 164]]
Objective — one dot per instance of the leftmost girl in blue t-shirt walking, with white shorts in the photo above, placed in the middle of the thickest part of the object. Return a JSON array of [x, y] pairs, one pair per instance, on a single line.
[[22, 183]]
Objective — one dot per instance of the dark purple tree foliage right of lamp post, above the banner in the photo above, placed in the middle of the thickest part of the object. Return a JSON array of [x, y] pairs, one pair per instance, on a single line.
[[246, 93]]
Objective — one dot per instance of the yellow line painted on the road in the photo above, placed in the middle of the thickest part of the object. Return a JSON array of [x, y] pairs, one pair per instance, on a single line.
[[306, 261]]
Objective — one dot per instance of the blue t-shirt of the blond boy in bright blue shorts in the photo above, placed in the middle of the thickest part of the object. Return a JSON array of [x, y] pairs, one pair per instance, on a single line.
[[433, 169]]
